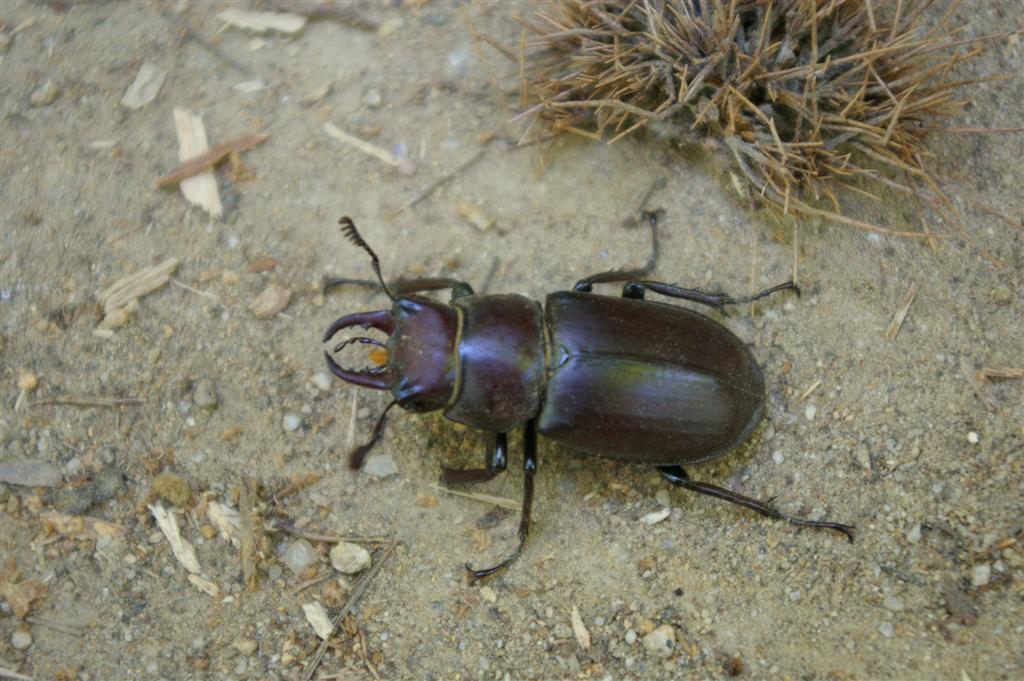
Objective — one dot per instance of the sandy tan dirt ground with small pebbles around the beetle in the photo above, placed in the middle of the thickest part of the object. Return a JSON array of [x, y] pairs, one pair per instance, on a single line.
[[892, 439]]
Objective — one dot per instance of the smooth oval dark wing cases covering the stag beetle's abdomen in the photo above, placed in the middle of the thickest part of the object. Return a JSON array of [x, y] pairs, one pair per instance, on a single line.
[[647, 382]]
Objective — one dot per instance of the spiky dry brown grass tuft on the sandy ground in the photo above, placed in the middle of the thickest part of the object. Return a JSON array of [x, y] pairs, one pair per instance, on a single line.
[[805, 97]]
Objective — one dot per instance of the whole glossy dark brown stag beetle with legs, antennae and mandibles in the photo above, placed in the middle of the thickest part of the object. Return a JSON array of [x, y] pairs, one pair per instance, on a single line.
[[621, 378]]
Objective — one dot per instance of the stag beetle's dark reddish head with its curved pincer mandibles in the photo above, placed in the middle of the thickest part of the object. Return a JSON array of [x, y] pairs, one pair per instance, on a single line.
[[421, 352]]
